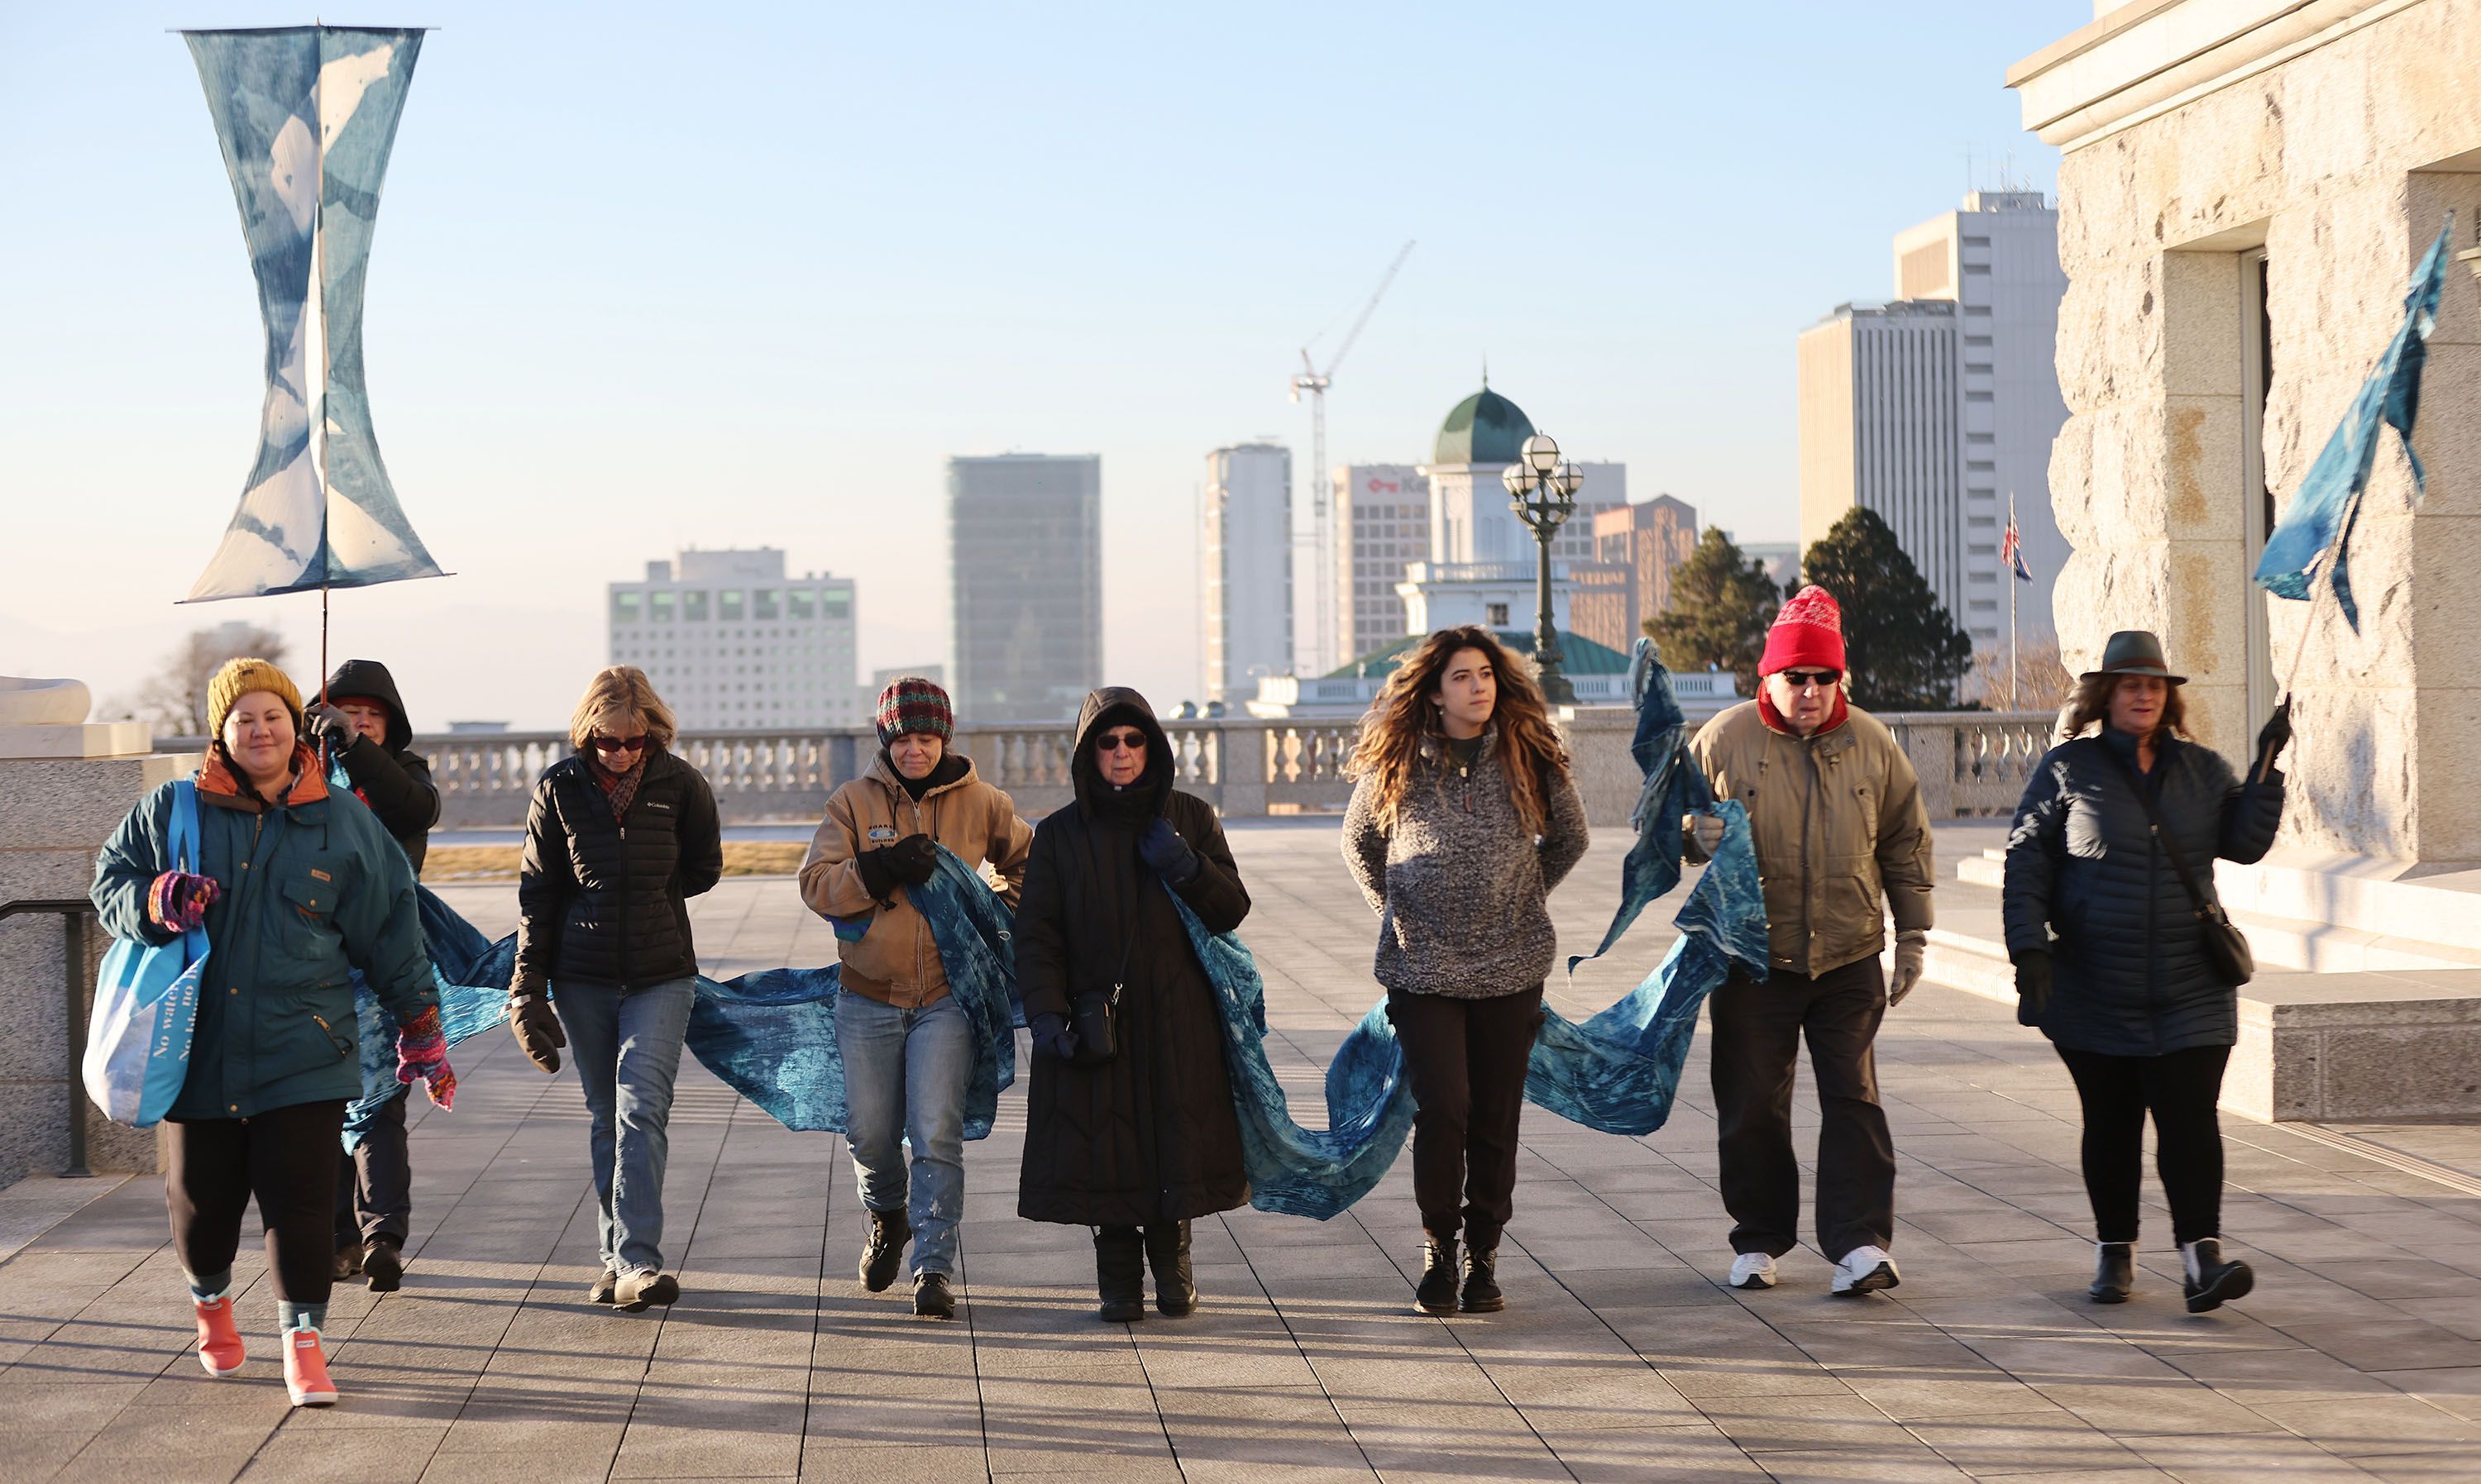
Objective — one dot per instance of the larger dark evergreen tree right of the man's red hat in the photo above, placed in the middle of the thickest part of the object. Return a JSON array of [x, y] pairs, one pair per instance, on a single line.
[[1904, 649]]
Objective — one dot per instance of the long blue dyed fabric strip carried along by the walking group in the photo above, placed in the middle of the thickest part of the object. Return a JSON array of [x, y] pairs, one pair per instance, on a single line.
[[773, 1036]]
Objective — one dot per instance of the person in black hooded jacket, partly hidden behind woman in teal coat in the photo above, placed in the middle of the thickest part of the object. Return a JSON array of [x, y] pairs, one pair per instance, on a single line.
[[361, 723]]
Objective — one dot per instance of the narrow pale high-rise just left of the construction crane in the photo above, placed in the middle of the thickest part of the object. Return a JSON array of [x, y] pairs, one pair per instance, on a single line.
[[1247, 567]]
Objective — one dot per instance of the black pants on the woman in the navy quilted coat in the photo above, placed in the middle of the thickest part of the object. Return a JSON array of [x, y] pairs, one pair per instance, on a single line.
[[2180, 1091]]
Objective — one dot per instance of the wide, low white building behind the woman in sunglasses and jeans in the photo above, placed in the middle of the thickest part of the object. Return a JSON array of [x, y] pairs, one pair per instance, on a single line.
[[733, 644]]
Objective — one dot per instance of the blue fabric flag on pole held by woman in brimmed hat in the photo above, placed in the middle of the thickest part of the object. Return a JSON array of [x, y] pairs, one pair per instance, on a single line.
[[2318, 522]]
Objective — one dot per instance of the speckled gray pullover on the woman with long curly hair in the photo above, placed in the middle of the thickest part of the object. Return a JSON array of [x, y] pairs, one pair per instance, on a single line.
[[1460, 882]]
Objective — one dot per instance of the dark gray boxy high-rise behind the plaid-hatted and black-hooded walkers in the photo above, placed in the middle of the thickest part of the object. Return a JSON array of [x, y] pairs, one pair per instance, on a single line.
[[1026, 584]]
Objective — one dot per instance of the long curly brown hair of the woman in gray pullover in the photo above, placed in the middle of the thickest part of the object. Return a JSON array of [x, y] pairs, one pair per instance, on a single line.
[[1405, 716]]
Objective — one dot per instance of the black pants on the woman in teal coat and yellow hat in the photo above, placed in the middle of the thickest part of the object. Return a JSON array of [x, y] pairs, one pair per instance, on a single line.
[[287, 1158]]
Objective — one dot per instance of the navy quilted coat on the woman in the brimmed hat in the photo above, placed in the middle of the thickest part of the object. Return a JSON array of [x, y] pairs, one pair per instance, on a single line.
[[2130, 974]]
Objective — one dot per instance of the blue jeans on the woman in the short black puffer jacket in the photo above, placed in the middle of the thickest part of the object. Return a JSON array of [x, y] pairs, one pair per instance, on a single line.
[[626, 1046]]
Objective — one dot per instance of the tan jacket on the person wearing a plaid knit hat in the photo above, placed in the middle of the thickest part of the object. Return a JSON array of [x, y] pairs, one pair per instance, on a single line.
[[894, 962]]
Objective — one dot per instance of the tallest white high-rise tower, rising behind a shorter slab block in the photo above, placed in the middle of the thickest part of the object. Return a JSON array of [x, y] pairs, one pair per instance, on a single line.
[[1998, 262]]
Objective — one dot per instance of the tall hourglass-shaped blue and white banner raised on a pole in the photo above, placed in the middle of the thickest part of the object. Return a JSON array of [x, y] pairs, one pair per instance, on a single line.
[[306, 120]]
